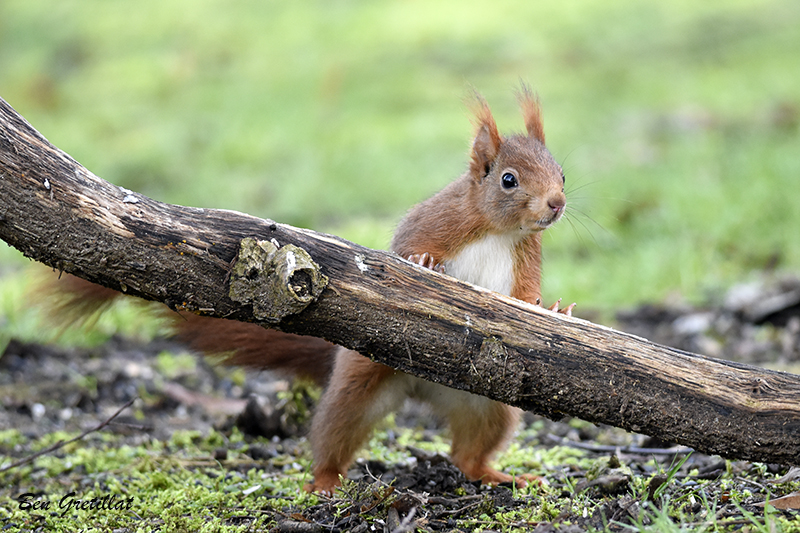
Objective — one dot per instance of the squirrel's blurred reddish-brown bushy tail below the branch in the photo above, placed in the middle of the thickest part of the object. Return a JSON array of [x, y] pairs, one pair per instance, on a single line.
[[235, 343]]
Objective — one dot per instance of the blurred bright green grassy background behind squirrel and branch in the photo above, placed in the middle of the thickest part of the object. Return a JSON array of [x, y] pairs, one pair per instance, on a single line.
[[676, 122]]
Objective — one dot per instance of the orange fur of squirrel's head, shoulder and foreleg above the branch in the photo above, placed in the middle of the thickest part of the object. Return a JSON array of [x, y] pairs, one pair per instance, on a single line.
[[473, 206]]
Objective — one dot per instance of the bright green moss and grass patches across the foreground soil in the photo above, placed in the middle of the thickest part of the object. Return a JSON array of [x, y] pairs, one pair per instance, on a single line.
[[179, 485]]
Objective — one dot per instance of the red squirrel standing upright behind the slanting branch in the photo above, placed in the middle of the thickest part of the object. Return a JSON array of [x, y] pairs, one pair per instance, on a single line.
[[484, 228]]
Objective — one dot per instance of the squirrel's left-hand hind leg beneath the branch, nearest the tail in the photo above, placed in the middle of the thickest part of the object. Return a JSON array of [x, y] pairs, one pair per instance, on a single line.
[[359, 394]]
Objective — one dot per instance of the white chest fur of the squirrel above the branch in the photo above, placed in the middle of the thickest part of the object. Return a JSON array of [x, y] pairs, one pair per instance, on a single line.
[[487, 262]]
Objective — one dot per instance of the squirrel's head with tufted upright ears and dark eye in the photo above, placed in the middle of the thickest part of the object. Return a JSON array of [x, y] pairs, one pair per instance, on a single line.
[[515, 181]]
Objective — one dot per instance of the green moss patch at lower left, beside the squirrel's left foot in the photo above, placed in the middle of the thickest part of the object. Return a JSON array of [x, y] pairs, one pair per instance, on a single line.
[[173, 486]]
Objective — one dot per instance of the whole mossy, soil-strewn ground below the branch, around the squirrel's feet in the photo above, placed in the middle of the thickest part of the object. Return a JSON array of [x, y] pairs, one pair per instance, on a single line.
[[180, 459]]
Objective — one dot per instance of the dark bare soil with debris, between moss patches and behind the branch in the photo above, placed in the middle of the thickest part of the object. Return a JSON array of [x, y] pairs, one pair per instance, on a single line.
[[45, 389]]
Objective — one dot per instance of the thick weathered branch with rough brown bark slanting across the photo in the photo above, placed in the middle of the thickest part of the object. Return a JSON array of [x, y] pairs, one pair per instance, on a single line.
[[231, 265]]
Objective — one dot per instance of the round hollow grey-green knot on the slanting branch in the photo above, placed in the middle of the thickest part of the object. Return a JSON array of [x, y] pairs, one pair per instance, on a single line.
[[277, 281]]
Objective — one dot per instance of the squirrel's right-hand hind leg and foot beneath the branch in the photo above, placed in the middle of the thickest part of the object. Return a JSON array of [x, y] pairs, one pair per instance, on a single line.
[[478, 432]]
